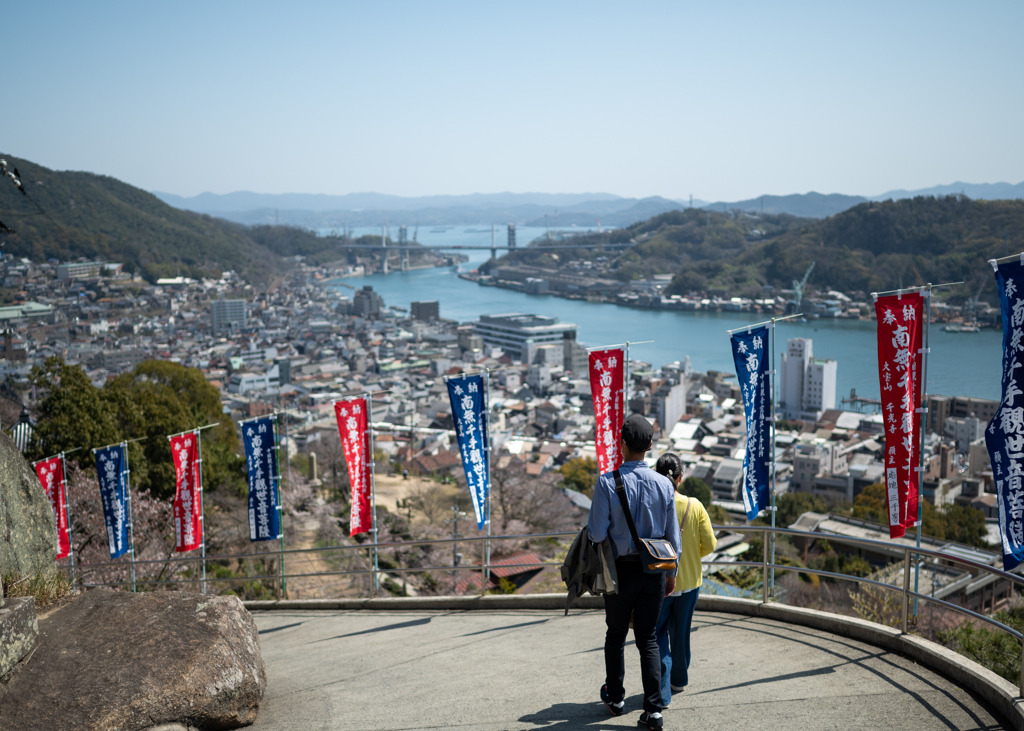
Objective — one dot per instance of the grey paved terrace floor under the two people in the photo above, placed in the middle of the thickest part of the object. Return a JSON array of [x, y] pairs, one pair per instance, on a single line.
[[539, 670]]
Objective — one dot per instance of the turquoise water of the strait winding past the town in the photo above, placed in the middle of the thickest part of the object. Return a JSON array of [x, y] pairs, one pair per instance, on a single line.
[[960, 364]]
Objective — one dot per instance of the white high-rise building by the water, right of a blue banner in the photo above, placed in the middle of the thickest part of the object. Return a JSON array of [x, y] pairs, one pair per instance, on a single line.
[[807, 385]]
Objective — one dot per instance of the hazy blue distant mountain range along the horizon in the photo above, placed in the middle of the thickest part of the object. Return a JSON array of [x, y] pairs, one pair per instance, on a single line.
[[369, 209]]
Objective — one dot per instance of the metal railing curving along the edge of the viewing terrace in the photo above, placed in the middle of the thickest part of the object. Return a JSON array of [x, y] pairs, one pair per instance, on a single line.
[[767, 534]]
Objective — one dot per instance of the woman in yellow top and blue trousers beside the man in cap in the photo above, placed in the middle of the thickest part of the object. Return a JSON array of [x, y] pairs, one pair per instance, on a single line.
[[698, 539]]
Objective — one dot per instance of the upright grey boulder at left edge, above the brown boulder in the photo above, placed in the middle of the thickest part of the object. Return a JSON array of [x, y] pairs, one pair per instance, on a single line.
[[28, 533]]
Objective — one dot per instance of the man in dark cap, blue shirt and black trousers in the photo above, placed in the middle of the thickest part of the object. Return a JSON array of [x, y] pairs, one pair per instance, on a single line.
[[652, 502]]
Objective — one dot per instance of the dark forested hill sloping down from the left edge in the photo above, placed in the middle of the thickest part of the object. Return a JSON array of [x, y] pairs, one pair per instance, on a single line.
[[111, 221]]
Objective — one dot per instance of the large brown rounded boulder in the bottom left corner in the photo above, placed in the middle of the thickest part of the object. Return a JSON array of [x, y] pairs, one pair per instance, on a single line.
[[121, 662]]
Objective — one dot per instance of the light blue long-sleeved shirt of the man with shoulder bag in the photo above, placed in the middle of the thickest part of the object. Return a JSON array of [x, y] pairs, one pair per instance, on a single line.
[[652, 499]]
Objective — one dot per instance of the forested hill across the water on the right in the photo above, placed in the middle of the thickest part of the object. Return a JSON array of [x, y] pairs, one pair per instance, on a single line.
[[871, 247]]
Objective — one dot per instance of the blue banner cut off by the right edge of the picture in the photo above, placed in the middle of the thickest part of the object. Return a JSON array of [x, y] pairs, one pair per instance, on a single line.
[[1005, 437]]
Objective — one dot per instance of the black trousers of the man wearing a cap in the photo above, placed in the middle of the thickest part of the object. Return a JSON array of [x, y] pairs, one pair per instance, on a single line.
[[638, 595]]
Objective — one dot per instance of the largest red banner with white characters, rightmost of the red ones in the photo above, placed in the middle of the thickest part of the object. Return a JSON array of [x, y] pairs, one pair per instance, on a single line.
[[900, 377]]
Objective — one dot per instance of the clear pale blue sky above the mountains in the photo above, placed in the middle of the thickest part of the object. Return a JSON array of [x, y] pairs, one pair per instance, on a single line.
[[723, 101]]
